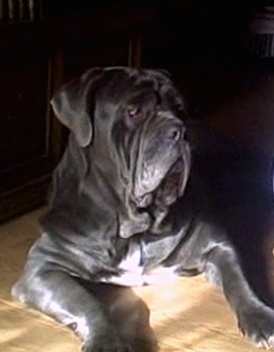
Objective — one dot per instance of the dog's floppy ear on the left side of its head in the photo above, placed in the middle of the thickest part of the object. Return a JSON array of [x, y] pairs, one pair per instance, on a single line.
[[71, 105]]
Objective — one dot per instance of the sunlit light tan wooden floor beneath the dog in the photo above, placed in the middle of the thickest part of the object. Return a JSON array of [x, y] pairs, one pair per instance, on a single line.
[[188, 315]]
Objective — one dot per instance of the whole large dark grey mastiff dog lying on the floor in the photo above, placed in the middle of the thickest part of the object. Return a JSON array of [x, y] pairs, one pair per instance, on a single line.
[[125, 209]]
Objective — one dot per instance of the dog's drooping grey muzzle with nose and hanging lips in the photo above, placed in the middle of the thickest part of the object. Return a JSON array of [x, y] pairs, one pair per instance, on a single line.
[[162, 159]]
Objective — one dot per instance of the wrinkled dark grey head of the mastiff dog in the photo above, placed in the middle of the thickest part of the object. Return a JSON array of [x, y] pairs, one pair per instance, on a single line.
[[131, 120]]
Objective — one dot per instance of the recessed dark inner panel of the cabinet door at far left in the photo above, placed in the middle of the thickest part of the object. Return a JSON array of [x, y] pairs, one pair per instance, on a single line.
[[23, 91]]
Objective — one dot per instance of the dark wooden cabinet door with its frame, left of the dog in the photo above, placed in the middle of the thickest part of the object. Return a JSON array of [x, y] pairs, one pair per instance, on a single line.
[[26, 154]]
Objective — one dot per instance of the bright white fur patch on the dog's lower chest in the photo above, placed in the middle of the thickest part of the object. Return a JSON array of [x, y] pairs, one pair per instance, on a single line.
[[134, 273]]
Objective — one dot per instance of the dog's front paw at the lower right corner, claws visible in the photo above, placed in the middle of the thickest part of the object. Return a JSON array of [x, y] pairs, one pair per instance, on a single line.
[[257, 323]]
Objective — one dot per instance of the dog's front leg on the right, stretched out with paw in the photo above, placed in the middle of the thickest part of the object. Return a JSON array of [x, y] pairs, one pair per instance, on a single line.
[[255, 319]]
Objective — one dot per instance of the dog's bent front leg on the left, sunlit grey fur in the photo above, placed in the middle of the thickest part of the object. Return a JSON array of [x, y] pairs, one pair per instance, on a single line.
[[61, 296]]
